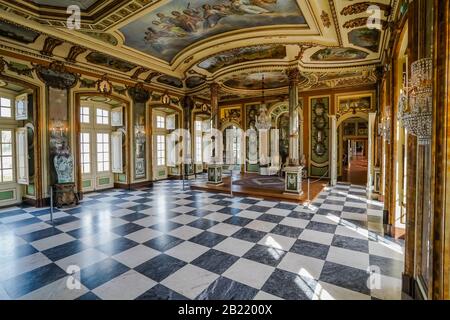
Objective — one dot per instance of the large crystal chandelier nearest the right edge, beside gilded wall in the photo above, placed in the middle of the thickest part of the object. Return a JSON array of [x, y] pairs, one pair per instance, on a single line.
[[416, 101]]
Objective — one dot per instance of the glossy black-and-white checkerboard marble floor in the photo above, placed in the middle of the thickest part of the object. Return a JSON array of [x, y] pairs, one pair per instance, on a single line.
[[166, 243]]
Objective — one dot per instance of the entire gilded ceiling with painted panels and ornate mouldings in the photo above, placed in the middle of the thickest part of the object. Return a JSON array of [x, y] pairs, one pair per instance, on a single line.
[[186, 45]]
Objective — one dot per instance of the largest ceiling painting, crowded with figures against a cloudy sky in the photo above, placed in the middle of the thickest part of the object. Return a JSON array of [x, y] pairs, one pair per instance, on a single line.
[[165, 32]]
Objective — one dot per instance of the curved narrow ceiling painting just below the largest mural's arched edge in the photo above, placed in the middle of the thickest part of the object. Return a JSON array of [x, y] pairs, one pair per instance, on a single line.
[[241, 55]]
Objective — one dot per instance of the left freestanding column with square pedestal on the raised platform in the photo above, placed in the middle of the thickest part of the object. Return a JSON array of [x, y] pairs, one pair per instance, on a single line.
[[215, 168]]
